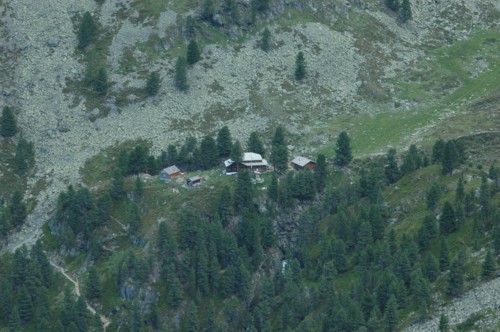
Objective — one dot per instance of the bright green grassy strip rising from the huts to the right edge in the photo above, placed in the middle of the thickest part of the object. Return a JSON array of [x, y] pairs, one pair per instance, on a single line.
[[453, 81]]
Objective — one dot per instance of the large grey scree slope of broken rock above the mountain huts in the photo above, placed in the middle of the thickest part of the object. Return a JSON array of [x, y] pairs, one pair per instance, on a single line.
[[235, 84]]
